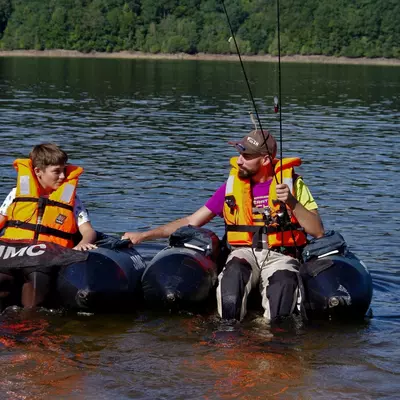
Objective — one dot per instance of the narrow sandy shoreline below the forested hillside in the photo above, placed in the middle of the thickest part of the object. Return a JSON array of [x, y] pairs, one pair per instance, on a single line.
[[200, 57]]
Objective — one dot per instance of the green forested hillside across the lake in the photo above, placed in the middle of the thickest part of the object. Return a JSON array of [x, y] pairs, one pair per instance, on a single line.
[[353, 28]]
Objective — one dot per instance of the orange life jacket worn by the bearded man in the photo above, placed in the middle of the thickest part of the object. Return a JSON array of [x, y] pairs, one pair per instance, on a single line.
[[242, 222]]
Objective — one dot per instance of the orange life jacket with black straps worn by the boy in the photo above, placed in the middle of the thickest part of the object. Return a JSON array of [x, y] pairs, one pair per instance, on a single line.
[[57, 223]]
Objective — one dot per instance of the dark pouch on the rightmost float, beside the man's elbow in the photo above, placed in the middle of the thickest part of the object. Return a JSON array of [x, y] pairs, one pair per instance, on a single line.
[[331, 243]]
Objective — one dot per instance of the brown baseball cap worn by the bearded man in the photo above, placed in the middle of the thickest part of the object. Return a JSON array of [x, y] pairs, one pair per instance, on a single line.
[[257, 142]]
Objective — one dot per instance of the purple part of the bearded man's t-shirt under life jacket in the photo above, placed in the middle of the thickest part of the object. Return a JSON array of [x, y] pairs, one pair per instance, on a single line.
[[260, 193]]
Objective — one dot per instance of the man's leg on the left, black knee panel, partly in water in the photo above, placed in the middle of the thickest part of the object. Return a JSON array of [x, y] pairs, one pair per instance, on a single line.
[[235, 283]]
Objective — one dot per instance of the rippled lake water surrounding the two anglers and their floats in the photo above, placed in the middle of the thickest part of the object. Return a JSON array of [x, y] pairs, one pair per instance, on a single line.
[[152, 137]]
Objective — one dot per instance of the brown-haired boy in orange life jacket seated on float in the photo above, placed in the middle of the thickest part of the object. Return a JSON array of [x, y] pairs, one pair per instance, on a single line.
[[44, 207]]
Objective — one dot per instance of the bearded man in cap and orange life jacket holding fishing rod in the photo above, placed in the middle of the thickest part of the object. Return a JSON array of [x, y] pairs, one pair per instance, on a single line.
[[267, 223]]
